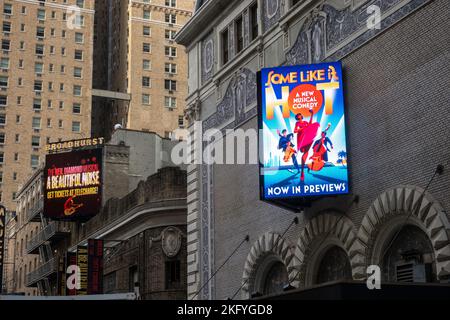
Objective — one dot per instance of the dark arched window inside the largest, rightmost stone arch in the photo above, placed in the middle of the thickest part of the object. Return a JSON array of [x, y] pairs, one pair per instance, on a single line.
[[408, 256]]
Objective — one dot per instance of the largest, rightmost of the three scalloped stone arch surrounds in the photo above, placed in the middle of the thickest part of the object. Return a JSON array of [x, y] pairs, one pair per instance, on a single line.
[[388, 212]]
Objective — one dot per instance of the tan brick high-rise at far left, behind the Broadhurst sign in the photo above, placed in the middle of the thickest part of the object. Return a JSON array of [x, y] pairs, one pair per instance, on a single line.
[[45, 82]]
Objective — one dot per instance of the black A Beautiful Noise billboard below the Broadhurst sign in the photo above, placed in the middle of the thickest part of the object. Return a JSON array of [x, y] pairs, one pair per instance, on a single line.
[[73, 184]]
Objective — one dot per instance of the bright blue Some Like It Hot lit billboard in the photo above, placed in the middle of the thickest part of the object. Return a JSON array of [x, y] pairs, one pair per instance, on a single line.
[[302, 139]]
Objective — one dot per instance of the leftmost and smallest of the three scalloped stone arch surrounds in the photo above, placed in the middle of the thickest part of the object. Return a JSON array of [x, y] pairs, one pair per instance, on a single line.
[[268, 243]]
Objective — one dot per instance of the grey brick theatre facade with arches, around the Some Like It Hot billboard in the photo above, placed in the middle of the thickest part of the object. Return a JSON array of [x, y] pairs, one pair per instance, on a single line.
[[396, 80]]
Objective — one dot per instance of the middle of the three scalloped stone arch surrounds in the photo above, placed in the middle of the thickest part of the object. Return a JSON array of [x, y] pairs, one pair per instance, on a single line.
[[311, 244]]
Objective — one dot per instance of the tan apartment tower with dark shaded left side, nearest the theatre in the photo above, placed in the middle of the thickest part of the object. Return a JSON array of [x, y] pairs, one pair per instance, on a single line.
[[136, 54]]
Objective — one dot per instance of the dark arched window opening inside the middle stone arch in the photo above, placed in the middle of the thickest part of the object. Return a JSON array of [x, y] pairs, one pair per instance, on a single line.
[[334, 265]]
